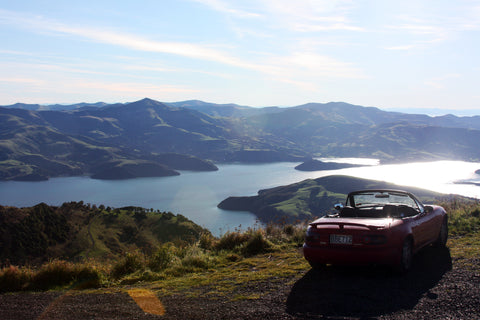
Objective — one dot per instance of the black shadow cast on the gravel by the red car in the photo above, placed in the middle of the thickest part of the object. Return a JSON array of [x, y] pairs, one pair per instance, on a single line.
[[367, 292]]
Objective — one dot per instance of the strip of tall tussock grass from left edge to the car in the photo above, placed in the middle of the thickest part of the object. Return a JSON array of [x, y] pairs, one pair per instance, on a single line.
[[168, 261]]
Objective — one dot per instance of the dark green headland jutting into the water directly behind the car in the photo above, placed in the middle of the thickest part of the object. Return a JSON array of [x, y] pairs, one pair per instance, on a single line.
[[311, 198]]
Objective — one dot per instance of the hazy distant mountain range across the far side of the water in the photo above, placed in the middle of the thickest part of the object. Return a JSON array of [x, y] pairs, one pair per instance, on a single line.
[[150, 138]]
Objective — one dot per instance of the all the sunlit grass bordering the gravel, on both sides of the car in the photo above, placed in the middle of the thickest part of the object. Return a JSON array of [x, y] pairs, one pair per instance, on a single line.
[[219, 267]]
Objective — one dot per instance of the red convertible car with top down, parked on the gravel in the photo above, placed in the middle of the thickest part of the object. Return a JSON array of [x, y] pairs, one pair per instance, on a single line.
[[385, 227]]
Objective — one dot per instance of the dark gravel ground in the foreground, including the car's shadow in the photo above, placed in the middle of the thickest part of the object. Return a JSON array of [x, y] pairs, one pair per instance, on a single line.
[[436, 288]]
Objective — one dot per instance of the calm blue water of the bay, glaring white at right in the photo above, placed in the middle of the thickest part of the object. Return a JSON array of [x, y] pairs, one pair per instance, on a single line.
[[196, 194]]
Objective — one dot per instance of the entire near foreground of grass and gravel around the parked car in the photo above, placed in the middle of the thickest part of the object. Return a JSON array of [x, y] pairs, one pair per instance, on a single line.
[[252, 274]]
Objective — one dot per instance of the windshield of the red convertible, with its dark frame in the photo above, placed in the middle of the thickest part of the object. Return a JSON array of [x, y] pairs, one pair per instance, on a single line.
[[377, 198]]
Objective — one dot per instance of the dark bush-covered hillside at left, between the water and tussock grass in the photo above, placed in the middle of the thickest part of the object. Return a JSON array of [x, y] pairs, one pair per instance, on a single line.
[[76, 230]]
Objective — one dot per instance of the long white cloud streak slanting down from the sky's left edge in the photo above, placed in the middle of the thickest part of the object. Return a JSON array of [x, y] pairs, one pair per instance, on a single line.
[[276, 65]]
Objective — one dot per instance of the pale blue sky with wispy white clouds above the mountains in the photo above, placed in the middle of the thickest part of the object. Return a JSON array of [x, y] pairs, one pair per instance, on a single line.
[[400, 55]]
